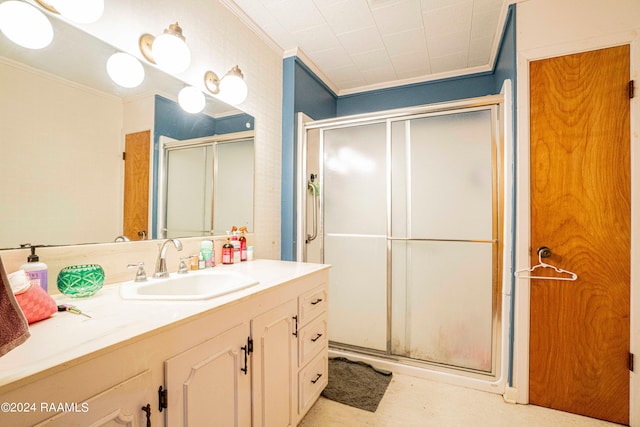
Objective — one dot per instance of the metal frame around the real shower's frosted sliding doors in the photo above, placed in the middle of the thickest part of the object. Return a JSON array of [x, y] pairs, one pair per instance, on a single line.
[[494, 103]]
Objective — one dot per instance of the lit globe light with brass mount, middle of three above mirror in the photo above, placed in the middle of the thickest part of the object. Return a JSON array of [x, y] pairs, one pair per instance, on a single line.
[[169, 51]]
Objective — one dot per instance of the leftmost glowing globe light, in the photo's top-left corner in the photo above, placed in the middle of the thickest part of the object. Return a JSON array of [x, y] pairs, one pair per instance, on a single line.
[[25, 25]]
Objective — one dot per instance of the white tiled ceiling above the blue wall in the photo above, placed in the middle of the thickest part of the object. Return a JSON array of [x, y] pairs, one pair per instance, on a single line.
[[357, 45]]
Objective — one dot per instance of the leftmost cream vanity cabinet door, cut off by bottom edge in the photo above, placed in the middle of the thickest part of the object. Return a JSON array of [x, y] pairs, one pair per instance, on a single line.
[[120, 405]]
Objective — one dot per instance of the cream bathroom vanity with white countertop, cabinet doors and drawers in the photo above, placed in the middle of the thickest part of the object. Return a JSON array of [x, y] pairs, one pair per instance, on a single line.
[[254, 357]]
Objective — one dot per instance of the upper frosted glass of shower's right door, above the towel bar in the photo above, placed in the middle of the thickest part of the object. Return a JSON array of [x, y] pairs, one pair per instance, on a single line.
[[451, 176]]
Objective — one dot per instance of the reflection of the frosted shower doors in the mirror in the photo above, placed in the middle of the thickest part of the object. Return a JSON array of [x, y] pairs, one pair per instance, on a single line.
[[206, 185]]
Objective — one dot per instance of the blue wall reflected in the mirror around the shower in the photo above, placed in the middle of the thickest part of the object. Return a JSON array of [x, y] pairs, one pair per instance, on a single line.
[[172, 121]]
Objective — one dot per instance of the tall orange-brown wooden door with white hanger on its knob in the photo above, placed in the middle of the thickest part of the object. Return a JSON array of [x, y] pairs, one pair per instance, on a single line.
[[580, 209]]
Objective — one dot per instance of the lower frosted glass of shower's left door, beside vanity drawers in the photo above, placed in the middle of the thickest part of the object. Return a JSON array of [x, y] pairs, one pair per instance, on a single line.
[[357, 290]]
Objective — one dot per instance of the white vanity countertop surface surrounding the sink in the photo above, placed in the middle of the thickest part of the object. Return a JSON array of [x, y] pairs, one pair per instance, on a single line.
[[66, 336]]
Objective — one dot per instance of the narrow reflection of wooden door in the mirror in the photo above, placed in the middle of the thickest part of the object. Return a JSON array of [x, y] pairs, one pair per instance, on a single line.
[[136, 185]]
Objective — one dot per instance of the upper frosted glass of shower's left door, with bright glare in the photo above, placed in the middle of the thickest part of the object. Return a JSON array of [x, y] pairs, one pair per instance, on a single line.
[[354, 180]]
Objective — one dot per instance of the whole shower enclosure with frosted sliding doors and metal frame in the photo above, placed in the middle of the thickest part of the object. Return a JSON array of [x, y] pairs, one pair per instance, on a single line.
[[407, 208]]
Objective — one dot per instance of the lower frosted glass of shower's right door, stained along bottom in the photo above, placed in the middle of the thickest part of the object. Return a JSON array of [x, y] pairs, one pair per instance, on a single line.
[[442, 296]]
